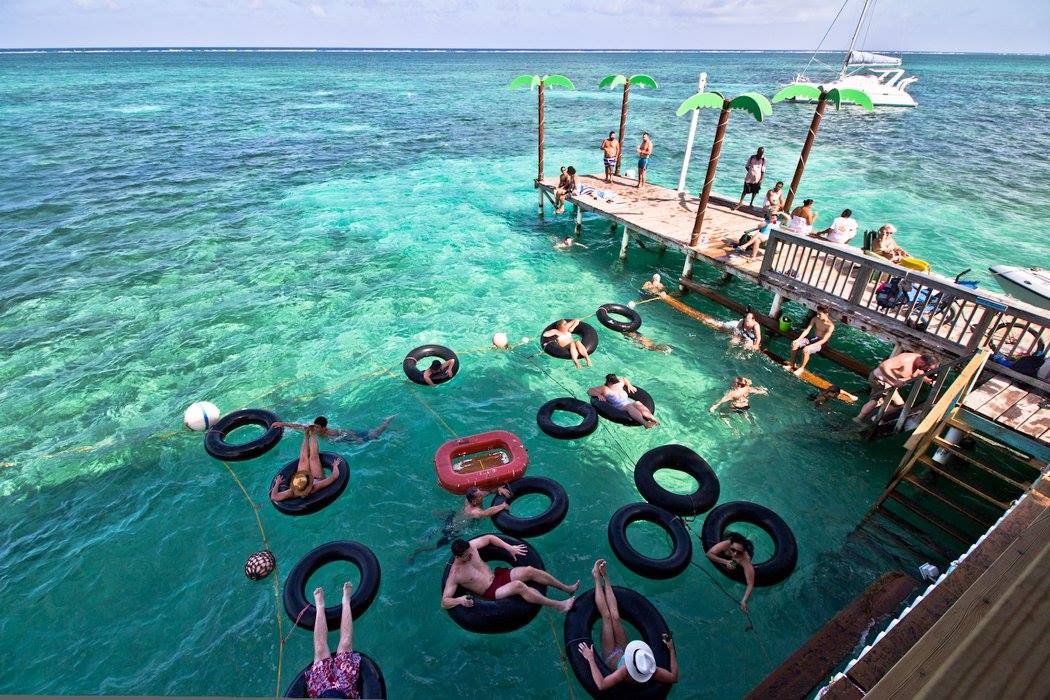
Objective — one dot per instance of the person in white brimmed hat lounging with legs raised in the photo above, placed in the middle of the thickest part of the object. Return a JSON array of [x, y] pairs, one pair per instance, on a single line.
[[634, 661]]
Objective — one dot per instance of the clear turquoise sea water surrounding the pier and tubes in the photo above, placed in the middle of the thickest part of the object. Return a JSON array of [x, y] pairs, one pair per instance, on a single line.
[[274, 229]]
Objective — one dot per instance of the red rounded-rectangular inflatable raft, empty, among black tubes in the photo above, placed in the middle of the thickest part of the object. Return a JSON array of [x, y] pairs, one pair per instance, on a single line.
[[486, 460]]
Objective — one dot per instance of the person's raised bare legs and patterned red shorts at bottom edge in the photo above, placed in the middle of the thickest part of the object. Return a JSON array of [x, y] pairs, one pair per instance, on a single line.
[[338, 676]]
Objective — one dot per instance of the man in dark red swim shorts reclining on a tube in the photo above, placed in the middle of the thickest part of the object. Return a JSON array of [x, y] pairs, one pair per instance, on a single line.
[[473, 574]]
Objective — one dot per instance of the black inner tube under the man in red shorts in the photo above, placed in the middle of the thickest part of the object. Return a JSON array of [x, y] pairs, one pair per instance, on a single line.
[[507, 614]]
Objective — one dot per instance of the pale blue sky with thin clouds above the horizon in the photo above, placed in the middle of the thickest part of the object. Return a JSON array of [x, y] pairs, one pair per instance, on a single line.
[[938, 26]]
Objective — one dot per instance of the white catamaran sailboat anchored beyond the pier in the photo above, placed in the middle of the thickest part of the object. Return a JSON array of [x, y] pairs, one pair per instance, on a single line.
[[879, 76]]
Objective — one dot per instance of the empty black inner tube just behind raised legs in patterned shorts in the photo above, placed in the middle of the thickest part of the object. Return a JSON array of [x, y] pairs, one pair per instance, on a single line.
[[343, 550]]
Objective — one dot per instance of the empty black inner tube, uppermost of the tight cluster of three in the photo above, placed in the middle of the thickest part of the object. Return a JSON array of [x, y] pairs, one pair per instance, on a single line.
[[678, 458]]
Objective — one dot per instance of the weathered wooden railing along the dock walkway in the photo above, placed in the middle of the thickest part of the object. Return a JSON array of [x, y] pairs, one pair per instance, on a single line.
[[932, 309]]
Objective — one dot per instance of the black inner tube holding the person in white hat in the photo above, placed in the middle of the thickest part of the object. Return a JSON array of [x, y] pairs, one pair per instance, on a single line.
[[643, 616]]
